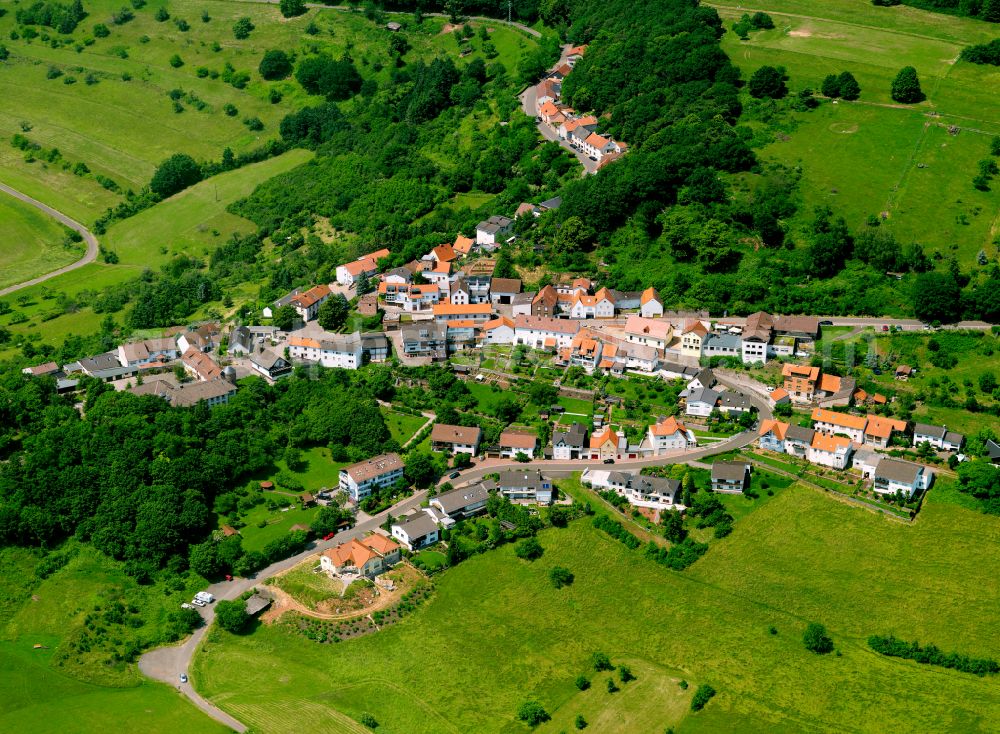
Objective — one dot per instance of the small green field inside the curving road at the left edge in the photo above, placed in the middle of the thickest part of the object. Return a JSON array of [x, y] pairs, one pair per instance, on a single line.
[[32, 242]]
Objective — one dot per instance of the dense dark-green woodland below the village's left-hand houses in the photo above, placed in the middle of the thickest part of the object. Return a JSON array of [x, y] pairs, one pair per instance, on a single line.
[[138, 478]]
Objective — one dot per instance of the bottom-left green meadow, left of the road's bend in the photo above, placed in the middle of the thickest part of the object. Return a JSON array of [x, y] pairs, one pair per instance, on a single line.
[[46, 693]]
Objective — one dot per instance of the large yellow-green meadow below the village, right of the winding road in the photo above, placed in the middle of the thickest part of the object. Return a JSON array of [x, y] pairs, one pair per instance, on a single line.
[[465, 661]]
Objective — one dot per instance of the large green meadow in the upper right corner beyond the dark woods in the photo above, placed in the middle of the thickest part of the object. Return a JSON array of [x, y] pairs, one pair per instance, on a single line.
[[874, 156]]
